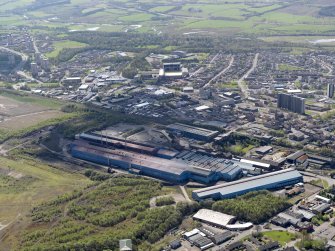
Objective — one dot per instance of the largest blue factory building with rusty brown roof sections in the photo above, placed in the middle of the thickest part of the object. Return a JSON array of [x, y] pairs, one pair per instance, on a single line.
[[155, 162]]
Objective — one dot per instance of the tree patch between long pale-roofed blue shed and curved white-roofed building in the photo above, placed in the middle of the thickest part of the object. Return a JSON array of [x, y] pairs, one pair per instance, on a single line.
[[256, 207]]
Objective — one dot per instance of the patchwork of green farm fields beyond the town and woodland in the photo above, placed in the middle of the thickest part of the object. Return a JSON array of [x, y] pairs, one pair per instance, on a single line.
[[264, 18]]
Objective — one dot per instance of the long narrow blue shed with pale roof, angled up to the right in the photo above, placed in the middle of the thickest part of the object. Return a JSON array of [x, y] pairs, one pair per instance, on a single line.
[[274, 180]]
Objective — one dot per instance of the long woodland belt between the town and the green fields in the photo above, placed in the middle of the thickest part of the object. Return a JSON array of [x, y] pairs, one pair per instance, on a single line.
[[144, 44]]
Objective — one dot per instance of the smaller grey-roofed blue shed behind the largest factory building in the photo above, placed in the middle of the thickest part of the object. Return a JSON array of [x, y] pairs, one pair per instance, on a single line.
[[192, 132]]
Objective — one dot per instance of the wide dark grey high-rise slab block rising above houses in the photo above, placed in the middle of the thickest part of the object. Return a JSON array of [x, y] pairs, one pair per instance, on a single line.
[[292, 103]]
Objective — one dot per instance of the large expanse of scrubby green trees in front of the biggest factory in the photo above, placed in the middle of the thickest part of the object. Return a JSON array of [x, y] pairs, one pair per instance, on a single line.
[[102, 214]]
